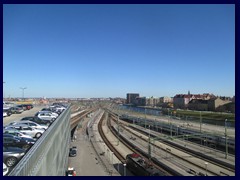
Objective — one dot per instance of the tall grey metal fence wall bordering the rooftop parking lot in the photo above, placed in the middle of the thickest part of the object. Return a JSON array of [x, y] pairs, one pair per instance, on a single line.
[[49, 155]]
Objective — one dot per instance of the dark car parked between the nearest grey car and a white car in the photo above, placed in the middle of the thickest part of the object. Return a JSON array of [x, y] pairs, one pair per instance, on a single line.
[[14, 141]]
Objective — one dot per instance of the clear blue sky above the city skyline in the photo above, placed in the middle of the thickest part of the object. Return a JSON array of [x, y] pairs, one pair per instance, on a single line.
[[110, 50]]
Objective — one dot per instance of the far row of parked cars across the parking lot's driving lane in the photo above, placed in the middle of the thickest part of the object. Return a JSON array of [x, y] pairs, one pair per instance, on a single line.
[[16, 109]]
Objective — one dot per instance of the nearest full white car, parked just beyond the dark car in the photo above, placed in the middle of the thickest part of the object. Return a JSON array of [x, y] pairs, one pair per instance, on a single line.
[[35, 133]]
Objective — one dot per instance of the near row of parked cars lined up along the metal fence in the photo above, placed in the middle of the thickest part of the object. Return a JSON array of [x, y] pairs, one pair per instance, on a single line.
[[19, 136]]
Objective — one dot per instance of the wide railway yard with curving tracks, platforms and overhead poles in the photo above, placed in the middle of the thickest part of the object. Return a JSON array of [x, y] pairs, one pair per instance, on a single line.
[[122, 144]]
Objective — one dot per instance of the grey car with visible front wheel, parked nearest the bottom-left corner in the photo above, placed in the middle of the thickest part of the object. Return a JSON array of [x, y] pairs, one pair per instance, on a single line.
[[11, 155]]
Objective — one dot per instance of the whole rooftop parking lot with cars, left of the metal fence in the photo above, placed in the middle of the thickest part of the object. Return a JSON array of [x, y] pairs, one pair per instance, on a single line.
[[21, 134]]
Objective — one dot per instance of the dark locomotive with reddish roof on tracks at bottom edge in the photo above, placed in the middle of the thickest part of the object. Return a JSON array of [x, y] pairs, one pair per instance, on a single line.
[[137, 165]]
